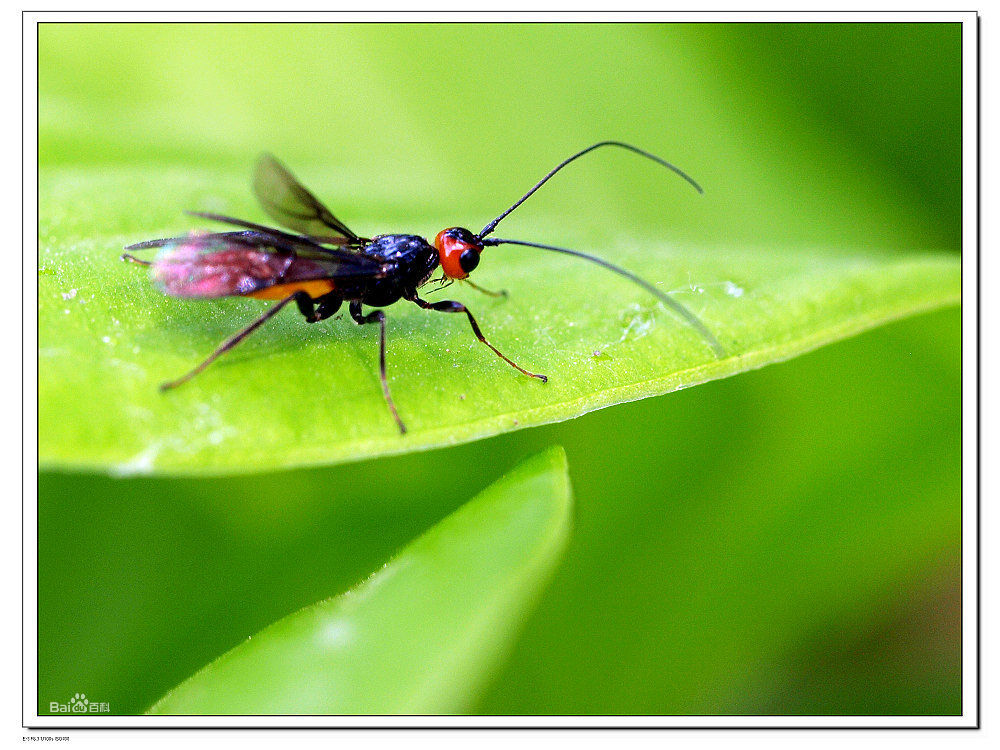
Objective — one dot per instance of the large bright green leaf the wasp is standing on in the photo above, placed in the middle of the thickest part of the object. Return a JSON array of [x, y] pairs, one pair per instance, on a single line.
[[297, 394]]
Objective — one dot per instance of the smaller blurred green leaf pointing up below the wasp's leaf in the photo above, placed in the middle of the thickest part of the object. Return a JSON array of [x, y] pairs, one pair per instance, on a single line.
[[423, 633]]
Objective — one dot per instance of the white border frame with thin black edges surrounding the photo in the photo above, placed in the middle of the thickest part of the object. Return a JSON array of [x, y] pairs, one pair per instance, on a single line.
[[970, 365]]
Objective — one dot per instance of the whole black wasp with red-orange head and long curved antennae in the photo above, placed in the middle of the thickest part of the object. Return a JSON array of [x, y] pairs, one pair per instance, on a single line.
[[324, 264]]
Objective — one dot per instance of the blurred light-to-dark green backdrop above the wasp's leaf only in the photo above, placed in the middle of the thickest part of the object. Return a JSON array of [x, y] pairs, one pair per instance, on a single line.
[[838, 134]]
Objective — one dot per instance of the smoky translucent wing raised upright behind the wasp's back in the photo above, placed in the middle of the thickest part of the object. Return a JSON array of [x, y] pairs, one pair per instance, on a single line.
[[286, 201]]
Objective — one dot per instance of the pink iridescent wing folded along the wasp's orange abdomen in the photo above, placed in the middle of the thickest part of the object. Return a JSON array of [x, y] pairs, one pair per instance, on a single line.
[[241, 263]]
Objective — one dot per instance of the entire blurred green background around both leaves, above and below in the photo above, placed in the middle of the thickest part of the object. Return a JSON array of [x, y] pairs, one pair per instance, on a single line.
[[786, 541]]
